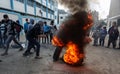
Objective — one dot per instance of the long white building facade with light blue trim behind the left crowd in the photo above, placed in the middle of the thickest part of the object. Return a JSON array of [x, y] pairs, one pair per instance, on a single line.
[[45, 10]]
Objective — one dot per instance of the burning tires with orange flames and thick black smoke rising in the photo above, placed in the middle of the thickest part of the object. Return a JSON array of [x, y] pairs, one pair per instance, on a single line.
[[73, 33]]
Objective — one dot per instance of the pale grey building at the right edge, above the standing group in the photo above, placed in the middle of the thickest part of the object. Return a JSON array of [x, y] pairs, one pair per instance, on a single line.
[[114, 13]]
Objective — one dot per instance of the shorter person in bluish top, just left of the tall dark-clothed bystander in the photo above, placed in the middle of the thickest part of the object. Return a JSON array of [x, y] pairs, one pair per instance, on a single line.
[[103, 33]]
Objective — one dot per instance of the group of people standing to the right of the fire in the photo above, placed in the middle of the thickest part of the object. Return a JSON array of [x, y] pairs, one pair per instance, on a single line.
[[113, 35]]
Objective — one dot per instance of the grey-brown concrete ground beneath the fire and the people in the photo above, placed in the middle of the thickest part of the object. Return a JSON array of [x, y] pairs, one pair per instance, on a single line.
[[99, 60]]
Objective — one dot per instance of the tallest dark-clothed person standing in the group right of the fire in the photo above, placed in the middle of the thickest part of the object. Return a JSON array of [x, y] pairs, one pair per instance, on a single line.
[[113, 35]]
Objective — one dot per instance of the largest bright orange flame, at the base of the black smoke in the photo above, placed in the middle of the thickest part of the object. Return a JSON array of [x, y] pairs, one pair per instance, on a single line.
[[73, 55]]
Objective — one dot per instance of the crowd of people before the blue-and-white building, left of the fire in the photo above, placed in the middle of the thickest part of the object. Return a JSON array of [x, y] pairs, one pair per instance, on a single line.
[[10, 31]]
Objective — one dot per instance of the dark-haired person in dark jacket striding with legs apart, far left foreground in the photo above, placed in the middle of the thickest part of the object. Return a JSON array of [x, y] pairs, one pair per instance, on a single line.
[[10, 33]]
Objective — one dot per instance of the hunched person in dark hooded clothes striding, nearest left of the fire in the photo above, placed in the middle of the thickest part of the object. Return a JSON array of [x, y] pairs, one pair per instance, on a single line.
[[31, 37]]
